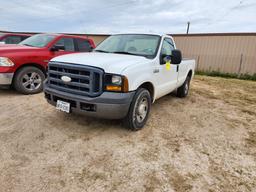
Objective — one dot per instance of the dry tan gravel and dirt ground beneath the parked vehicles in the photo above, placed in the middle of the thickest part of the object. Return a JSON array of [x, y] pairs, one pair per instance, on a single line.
[[205, 142]]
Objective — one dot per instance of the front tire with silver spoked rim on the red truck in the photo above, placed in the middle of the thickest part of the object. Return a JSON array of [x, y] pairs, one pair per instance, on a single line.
[[29, 80]]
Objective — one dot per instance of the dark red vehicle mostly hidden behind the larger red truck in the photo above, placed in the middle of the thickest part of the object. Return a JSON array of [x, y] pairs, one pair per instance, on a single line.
[[12, 38]]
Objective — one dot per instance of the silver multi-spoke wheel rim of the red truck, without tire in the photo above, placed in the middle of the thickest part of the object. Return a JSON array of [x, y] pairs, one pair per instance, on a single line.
[[31, 81]]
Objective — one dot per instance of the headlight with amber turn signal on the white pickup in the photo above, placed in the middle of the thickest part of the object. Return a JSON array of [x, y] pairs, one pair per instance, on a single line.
[[116, 83]]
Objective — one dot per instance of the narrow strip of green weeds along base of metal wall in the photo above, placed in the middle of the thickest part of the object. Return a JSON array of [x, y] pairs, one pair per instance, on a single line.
[[228, 75]]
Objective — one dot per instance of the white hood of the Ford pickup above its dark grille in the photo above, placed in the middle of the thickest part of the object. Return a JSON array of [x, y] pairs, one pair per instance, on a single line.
[[109, 62]]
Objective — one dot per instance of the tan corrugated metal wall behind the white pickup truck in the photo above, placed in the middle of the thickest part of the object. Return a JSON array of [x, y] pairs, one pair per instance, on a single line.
[[227, 53]]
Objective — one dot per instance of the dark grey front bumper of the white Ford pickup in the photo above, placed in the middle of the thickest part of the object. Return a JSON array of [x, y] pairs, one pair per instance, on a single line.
[[108, 105]]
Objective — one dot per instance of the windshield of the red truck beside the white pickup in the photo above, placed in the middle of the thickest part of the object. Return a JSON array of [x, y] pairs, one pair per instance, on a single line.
[[40, 40]]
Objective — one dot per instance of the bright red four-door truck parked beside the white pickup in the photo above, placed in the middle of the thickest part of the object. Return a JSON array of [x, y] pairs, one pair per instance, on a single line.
[[24, 65]]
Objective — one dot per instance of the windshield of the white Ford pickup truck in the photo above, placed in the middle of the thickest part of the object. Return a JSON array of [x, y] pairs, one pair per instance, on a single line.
[[140, 45]]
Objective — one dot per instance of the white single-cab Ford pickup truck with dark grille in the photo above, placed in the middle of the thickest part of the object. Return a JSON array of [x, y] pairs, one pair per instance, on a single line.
[[120, 79]]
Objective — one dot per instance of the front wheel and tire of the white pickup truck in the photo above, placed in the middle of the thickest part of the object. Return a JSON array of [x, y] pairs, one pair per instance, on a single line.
[[139, 110]]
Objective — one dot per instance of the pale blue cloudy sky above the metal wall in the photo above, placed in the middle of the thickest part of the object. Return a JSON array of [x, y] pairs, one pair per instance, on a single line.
[[112, 16]]
